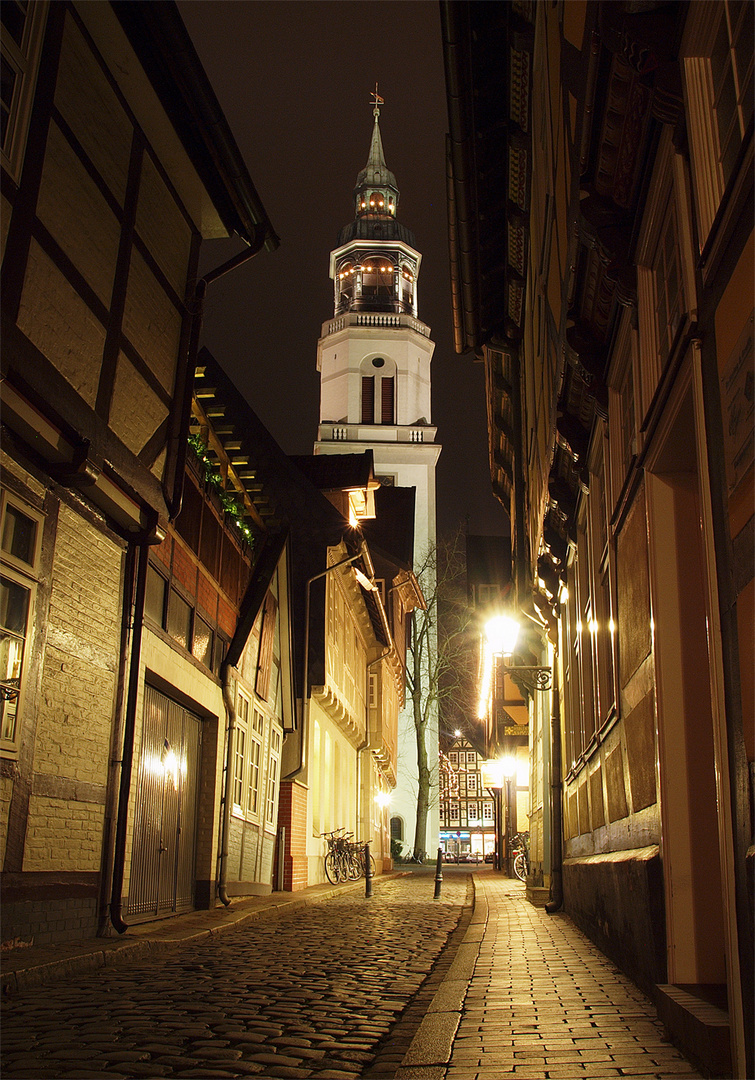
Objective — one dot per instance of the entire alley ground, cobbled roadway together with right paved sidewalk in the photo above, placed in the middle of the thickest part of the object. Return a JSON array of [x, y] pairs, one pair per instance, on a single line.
[[340, 989]]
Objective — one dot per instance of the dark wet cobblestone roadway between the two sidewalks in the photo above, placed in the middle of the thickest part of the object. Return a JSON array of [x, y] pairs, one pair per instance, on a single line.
[[311, 994]]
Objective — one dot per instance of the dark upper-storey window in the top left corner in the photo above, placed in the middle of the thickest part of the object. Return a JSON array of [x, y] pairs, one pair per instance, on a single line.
[[23, 28]]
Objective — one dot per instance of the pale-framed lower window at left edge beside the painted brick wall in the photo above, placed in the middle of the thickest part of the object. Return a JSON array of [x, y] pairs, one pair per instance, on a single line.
[[20, 544]]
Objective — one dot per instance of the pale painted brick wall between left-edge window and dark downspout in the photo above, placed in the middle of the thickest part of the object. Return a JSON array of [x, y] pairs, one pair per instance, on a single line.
[[77, 701]]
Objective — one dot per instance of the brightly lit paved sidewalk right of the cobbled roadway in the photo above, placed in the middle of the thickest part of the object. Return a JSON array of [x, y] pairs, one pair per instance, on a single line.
[[530, 996]]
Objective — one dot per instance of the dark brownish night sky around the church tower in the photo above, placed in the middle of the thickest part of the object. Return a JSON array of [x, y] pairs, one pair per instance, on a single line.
[[294, 79]]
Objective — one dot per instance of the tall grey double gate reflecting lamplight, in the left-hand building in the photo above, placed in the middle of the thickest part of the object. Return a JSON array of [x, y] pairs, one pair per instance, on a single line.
[[163, 863]]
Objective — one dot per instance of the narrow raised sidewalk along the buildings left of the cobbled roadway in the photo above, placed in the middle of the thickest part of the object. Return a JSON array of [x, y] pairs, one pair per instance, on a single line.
[[33, 966]]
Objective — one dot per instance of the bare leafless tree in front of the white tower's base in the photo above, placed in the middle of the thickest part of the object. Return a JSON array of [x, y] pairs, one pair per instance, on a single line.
[[439, 671]]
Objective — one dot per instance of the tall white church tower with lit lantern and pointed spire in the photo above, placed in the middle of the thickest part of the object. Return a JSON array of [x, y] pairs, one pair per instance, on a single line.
[[374, 362]]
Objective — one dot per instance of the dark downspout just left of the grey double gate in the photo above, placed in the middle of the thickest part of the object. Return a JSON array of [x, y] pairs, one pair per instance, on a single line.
[[129, 735]]
